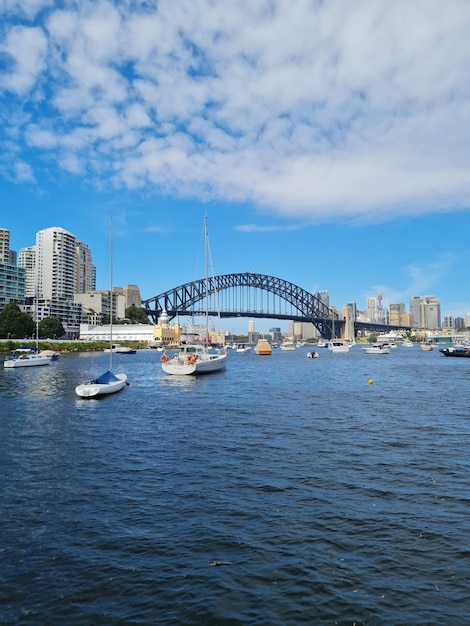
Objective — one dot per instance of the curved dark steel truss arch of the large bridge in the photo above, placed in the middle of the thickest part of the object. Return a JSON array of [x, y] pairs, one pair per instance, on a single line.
[[194, 297]]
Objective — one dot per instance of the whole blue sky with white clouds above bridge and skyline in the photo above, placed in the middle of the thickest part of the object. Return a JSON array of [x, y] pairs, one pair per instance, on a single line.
[[327, 142]]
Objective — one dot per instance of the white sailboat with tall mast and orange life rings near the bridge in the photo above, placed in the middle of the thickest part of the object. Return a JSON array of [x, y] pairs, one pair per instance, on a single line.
[[194, 357]]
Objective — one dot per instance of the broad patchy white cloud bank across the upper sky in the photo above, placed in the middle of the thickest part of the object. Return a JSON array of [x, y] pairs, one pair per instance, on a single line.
[[313, 109]]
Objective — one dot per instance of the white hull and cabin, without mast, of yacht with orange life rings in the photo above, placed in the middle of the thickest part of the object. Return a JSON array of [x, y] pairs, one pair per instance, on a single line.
[[193, 358]]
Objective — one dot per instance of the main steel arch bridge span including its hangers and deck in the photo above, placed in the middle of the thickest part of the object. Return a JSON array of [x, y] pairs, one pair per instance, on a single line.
[[245, 295]]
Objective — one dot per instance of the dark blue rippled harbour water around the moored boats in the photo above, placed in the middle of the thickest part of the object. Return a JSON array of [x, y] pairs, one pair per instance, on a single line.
[[282, 491]]
